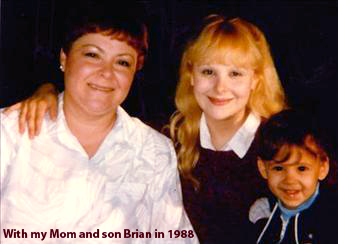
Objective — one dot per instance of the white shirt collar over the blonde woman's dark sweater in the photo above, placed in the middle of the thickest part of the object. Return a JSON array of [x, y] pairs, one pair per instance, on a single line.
[[241, 140]]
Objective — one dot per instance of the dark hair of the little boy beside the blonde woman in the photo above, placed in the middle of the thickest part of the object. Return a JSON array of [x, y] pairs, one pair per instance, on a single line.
[[288, 127]]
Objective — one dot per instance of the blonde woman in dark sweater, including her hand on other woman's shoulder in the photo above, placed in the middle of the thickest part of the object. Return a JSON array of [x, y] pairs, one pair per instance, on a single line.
[[228, 84]]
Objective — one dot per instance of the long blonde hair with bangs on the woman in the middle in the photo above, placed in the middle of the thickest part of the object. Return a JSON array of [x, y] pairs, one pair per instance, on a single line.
[[220, 40]]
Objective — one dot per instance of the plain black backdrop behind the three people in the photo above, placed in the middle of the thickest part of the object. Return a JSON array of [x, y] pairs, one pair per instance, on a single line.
[[302, 34]]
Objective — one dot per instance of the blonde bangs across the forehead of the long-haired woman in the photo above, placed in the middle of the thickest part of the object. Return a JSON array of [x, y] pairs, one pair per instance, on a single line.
[[226, 48]]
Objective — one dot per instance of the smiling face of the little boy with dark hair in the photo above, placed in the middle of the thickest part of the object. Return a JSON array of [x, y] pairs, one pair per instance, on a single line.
[[295, 180]]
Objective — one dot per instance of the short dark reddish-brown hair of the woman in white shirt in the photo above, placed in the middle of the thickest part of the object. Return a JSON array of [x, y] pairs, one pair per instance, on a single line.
[[122, 27]]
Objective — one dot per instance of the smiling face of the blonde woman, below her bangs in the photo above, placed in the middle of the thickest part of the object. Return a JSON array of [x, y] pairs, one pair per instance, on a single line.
[[222, 91]]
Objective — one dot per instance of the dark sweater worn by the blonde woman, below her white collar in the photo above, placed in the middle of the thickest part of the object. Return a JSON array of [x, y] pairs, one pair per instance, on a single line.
[[228, 186]]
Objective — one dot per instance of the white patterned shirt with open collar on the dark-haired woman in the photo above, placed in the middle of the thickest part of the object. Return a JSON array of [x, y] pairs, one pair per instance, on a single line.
[[130, 183]]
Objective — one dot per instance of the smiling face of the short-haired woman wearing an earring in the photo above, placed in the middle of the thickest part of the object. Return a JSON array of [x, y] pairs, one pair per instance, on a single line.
[[98, 73]]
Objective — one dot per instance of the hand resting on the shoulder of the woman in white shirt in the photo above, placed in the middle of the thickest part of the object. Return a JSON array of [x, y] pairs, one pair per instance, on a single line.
[[34, 108]]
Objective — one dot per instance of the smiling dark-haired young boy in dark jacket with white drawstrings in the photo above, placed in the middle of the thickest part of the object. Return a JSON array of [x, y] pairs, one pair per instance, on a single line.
[[292, 160]]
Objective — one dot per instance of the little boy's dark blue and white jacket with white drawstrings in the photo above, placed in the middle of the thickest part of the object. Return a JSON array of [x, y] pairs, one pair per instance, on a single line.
[[315, 224]]
